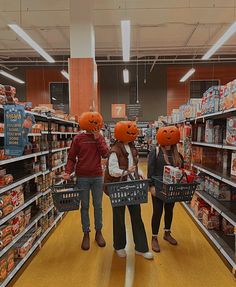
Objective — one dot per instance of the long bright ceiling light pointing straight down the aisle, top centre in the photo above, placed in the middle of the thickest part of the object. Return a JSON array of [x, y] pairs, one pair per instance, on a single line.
[[125, 35]]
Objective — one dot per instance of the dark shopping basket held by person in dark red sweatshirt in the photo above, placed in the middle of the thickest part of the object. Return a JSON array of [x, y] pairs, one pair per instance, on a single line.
[[66, 197]]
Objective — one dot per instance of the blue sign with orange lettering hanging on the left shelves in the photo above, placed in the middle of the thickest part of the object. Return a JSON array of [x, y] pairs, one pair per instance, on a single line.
[[14, 140]]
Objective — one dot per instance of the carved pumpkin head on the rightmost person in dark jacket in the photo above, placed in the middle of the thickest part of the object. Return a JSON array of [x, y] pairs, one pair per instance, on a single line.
[[168, 136]]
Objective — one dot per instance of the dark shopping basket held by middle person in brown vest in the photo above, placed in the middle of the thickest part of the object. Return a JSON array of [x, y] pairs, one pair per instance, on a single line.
[[128, 192]]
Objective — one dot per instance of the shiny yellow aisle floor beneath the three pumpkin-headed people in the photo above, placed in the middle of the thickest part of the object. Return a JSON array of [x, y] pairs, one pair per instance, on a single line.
[[62, 263]]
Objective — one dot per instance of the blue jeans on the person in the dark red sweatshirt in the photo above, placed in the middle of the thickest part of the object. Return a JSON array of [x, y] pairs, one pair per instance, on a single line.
[[95, 184]]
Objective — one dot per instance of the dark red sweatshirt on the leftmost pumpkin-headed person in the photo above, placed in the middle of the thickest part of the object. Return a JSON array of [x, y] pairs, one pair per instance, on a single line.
[[85, 155]]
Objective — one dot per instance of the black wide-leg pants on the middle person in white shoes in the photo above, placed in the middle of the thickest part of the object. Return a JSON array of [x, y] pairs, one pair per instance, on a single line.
[[119, 232]]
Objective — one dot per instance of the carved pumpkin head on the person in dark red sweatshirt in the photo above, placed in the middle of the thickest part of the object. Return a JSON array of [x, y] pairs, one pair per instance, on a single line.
[[91, 121]]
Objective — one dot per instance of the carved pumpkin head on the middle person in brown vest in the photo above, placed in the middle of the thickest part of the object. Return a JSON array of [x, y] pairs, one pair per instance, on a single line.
[[126, 131]]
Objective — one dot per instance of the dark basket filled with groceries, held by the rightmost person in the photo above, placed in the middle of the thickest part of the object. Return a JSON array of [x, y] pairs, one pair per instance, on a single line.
[[176, 192]]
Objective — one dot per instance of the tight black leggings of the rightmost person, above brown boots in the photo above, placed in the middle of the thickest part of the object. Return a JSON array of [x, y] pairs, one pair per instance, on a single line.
[[158, 206]]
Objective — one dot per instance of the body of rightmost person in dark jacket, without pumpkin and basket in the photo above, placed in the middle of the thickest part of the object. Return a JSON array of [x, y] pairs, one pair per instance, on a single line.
[[159, 157]]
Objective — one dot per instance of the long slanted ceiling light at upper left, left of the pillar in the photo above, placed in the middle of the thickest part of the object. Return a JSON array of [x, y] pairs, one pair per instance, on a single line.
[[19, 31]]
